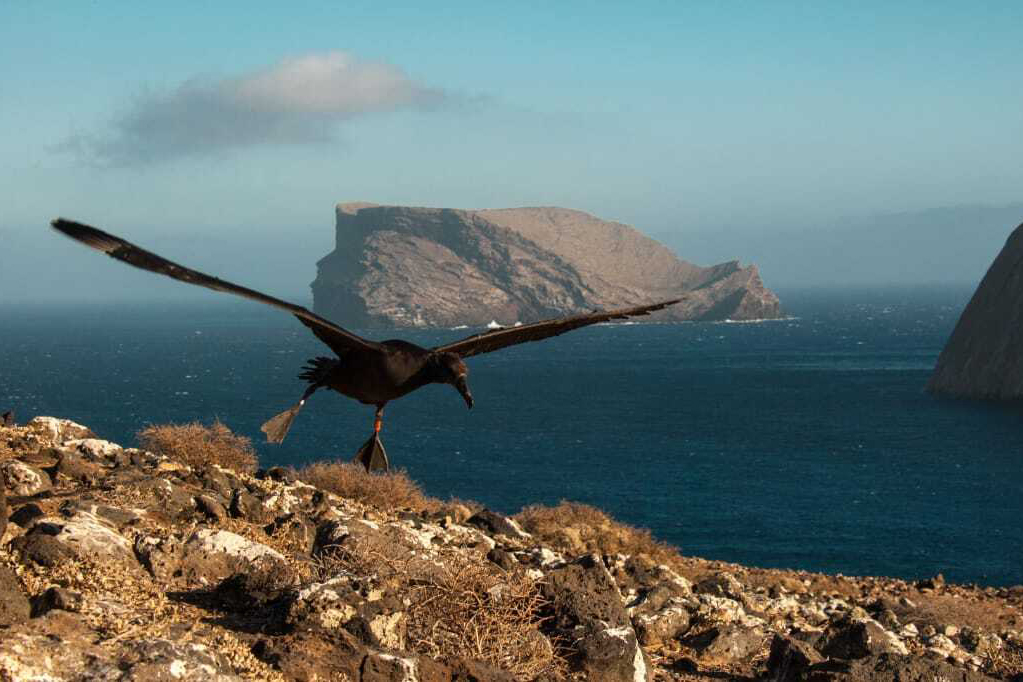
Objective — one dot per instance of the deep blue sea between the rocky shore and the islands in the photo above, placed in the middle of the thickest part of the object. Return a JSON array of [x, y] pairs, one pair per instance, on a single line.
[[804, 443]]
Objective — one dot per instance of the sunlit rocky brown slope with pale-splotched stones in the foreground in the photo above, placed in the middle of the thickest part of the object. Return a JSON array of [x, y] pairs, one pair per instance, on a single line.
[[118, 564]]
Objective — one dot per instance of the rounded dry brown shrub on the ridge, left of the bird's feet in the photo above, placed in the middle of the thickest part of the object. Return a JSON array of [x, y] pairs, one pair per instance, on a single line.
[[199, 445]]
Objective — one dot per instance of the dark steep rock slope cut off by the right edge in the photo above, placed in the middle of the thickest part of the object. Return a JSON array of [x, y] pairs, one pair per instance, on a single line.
[[984, 358]]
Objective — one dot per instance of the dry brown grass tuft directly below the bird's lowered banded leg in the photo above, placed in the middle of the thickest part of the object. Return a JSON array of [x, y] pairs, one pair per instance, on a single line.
[[393, 490]]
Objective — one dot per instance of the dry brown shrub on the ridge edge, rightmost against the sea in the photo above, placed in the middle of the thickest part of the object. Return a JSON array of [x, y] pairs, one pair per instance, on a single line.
[[580, 529]]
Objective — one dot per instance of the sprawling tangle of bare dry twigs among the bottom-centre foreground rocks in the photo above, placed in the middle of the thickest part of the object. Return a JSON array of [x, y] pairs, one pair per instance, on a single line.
[[460, 607]]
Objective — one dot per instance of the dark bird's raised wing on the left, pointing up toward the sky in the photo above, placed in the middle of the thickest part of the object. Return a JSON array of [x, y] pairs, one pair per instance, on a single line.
[[339, 340]]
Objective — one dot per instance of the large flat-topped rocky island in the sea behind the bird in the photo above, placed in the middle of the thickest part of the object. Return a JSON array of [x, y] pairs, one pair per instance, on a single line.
[[402, 266]]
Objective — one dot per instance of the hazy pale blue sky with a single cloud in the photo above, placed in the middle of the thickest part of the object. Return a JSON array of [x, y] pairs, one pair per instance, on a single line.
[[227, 132]]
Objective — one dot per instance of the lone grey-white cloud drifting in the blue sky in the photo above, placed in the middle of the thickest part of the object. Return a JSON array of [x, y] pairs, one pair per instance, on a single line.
[[300, 101]]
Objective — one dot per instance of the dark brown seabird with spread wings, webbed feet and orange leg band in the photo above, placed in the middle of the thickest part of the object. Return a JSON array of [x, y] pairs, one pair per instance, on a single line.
[[372, 373]]
